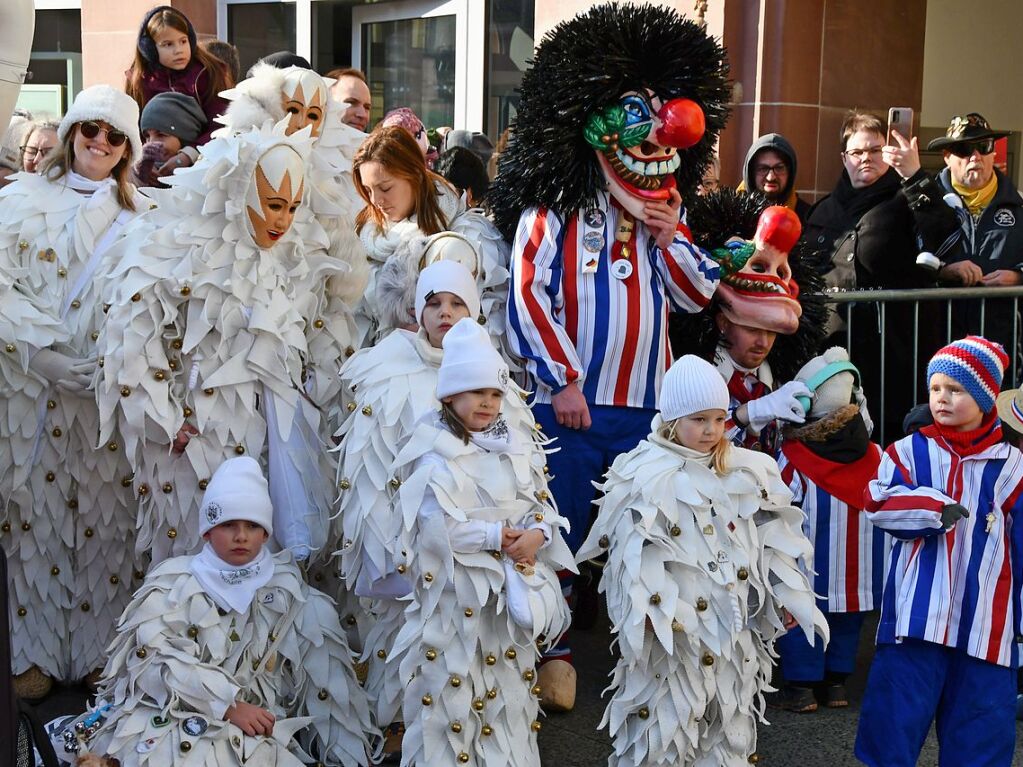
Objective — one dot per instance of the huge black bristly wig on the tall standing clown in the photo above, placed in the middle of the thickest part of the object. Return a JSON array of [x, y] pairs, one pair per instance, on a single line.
[[585, 65]]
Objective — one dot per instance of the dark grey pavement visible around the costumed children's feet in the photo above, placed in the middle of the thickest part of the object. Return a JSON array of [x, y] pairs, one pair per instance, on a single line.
[[821, 740]]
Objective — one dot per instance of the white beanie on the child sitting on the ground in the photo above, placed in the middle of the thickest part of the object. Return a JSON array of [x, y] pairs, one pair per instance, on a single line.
[[238, 491]]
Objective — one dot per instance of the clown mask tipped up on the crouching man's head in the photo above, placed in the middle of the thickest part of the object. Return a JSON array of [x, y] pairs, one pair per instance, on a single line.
[[758, 289]]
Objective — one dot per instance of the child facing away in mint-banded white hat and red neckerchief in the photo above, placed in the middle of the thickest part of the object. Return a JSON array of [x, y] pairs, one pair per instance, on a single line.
[[827, 463]]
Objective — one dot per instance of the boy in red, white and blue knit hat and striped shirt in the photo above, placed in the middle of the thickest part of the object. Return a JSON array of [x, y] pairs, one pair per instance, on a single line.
[[952, 498]]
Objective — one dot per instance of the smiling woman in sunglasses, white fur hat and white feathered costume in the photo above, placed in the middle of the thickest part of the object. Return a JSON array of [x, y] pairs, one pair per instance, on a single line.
[[67, 517]]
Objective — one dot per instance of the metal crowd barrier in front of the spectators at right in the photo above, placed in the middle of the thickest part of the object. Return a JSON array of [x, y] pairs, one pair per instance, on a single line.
[[873, 305]]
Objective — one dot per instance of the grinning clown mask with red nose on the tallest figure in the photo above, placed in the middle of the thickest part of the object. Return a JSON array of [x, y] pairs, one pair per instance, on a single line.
[[638, 141]]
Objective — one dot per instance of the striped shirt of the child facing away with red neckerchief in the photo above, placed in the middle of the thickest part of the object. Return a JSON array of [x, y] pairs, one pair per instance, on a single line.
[[850, 553]]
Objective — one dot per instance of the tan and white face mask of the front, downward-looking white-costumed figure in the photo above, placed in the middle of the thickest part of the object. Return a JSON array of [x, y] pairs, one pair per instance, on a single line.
[[275, 195]]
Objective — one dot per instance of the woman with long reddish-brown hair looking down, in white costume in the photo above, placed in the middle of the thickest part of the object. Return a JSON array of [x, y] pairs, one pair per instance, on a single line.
[[406, 200]]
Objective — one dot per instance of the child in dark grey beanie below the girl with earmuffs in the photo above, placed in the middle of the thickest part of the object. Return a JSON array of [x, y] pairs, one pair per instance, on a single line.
[[171, 123]]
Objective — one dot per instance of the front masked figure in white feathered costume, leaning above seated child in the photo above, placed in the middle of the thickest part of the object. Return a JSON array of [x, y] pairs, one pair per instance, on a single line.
[[221, 341]]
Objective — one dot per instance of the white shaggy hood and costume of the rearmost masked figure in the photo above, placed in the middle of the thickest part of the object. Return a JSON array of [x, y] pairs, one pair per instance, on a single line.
[[330, 197]]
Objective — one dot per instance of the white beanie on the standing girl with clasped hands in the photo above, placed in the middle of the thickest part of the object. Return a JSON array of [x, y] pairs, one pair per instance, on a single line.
[[470, 362]]
